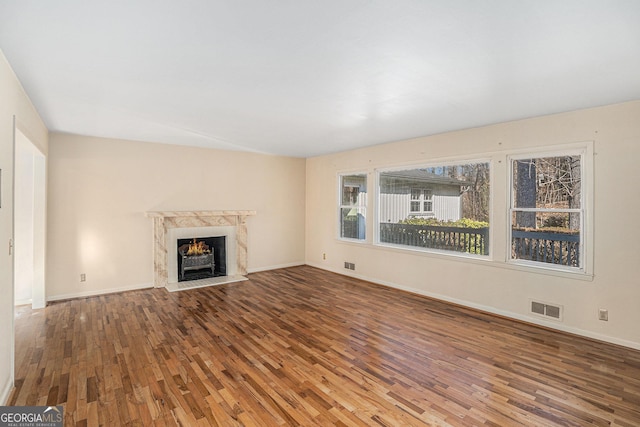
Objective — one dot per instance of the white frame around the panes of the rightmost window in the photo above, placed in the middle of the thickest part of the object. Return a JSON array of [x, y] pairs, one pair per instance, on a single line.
[[585, 248]]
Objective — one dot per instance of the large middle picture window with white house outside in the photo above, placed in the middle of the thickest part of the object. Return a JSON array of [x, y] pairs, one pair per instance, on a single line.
[[441, 208]]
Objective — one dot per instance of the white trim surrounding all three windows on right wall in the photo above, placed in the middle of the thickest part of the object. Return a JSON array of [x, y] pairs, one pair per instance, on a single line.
[[500, 196]]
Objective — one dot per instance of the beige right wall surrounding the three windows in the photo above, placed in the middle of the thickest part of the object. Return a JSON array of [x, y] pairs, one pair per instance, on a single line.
[[493, 285]]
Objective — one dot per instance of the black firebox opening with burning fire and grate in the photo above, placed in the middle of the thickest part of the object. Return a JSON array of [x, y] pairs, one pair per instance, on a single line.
[[201, 258]]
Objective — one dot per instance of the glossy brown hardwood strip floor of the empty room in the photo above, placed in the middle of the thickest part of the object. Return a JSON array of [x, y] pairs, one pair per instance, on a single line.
[[302, 347]]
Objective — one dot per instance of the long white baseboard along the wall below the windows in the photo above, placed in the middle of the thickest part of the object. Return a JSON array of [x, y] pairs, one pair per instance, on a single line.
[[488, 309]]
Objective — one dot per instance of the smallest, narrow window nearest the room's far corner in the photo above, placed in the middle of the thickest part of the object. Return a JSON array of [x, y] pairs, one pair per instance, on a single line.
[[353, 203]]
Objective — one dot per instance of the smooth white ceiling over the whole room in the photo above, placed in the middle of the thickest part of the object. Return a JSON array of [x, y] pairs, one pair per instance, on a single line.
[[308, 77]]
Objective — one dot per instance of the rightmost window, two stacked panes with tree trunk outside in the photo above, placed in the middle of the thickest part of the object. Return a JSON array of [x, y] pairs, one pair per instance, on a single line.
[[547, 210]]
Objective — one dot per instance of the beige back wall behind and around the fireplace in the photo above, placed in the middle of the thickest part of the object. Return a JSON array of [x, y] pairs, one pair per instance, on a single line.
[[100, 189]]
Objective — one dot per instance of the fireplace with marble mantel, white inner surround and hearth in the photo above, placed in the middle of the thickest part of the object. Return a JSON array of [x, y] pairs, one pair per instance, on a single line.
[[169, 226]]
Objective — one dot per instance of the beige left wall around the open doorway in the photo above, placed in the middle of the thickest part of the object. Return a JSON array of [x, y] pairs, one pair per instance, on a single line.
[[13, 103]]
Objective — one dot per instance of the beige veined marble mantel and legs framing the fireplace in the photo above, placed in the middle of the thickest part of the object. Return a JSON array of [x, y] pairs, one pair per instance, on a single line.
[[165, 220]]
